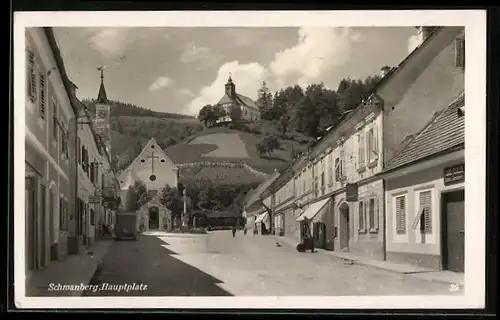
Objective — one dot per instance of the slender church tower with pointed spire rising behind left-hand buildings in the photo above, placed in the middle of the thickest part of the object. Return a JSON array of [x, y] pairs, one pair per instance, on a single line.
[[102, 114]]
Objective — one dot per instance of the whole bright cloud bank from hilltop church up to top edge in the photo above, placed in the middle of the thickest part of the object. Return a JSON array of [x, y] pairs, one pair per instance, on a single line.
[[317, 53]]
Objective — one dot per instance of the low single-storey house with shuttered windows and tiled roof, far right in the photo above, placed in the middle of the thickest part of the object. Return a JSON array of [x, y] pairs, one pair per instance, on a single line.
[[425, 195]]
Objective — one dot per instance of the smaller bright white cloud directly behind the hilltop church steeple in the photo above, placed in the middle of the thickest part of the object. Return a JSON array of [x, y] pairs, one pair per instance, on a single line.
[[249, 75]]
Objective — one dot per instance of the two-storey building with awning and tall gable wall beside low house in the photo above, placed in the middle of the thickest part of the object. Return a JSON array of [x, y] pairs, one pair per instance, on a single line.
[[339, 187]]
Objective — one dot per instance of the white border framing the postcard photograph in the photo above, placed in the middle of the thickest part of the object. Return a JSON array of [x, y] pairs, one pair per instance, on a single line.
[[475, 24]]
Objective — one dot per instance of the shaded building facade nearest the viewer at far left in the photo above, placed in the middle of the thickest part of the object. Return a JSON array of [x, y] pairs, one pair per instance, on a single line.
[[49, 157]]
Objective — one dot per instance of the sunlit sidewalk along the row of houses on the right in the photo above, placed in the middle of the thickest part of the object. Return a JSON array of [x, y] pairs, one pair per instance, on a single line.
[[402, 268]]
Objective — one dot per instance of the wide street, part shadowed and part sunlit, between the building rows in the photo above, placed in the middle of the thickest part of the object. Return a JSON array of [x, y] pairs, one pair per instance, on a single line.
[[220, 265]]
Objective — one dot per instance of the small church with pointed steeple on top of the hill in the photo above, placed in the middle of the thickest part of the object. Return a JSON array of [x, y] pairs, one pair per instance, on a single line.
[[249, 110]]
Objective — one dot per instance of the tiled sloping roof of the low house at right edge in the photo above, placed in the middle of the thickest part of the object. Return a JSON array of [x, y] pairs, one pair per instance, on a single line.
[[445, 131]]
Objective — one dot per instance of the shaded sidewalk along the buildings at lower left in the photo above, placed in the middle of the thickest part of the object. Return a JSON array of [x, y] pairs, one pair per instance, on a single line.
[[74, 270]]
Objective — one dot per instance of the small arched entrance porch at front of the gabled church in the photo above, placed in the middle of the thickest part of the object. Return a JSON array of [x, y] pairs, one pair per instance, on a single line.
[[155, 216]]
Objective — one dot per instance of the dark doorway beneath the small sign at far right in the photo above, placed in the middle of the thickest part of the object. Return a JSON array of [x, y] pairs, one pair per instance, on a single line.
[[453, 204]]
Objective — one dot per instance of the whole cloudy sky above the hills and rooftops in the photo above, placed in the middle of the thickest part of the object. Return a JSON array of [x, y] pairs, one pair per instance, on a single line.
[[180, 69]]
